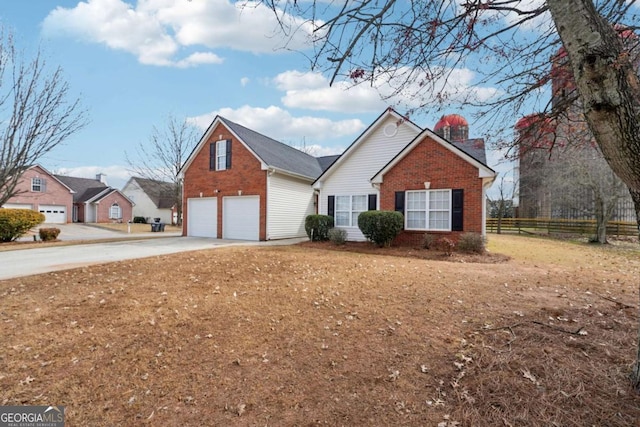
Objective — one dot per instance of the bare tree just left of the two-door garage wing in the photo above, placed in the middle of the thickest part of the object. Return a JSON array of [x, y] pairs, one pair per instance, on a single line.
[[162, 157]]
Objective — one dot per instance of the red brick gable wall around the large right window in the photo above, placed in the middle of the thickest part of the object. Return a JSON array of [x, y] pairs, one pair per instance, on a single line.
[[431, 162]]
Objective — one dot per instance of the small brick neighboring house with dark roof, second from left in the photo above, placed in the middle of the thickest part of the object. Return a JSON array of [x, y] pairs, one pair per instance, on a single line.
[[95, 202]]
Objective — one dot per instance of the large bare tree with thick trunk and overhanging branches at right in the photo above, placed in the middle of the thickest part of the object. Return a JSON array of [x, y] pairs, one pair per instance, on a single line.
[[415, 47]]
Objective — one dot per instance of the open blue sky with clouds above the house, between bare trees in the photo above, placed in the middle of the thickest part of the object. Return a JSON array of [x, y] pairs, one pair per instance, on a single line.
[[132, 63]]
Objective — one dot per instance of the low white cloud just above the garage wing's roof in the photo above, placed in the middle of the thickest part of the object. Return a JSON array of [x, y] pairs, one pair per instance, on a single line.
[[279, 124]]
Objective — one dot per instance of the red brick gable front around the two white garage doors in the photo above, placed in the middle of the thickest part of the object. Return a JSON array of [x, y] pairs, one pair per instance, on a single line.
[[244, 175]]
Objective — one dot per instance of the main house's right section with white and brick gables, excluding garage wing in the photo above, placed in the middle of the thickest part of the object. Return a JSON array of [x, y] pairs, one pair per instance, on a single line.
[[439, 186]]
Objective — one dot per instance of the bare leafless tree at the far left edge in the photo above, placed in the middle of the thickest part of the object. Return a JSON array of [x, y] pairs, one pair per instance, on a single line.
[[36, 114]]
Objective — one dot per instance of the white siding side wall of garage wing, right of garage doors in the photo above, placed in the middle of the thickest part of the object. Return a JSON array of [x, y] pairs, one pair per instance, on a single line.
[[290, 200]]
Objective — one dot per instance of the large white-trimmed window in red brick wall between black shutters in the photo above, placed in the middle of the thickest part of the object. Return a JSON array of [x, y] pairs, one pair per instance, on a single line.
[[428, 210]]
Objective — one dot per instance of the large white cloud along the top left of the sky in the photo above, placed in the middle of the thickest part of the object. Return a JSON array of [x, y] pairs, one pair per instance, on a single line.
[[158, 31]]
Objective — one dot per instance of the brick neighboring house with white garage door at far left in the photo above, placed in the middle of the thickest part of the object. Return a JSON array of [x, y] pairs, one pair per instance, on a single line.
[[42, 191]]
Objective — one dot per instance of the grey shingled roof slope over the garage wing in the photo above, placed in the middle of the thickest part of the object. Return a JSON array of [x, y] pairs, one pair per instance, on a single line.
[[276, 154]]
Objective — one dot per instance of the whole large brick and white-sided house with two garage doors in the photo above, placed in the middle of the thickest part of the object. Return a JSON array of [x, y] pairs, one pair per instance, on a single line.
[[239, 184]]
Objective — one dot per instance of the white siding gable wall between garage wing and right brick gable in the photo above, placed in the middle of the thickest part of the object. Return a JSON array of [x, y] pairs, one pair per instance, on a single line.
[[352, 176]]
